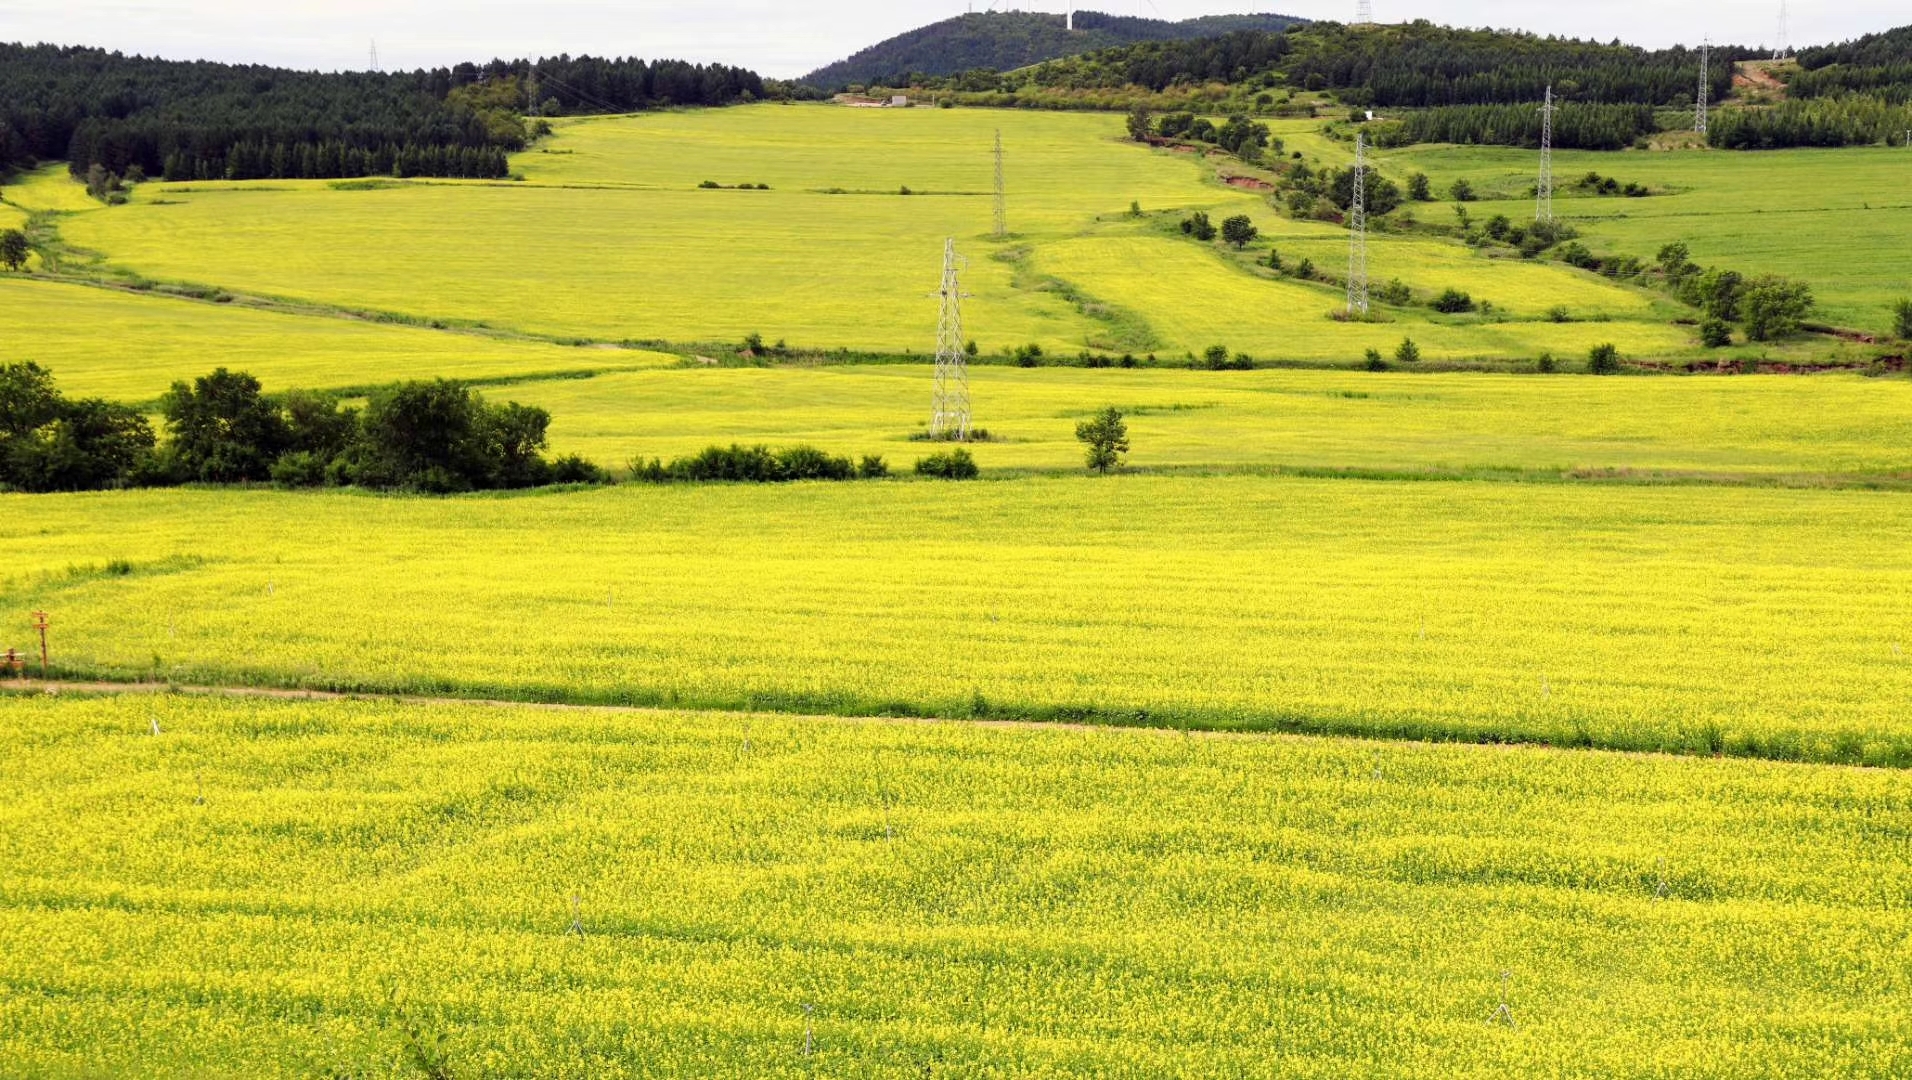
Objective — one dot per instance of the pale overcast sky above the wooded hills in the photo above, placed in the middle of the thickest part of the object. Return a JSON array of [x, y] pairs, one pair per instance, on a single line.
[[785, 39]]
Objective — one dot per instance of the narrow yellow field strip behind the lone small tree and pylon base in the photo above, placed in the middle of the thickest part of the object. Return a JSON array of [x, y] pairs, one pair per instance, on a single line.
[[1842, 427]]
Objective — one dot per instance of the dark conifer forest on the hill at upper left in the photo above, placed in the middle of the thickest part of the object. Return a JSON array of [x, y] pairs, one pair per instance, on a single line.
[[213, 121]]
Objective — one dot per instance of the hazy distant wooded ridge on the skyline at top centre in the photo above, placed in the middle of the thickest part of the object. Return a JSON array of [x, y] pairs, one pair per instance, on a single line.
[[1005, 41]]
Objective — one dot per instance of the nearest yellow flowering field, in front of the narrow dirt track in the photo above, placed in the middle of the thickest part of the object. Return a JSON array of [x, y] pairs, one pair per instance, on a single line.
[[284, 890]]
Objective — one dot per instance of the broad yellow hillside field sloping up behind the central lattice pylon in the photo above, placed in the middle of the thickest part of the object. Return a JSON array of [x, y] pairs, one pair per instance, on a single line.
[[611, 238]]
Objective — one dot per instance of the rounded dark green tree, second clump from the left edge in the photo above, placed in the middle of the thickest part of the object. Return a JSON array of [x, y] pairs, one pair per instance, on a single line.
[[225, 431]]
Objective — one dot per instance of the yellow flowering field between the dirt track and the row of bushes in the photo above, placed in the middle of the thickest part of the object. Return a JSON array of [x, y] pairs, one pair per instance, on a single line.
[[1754, 622]]
